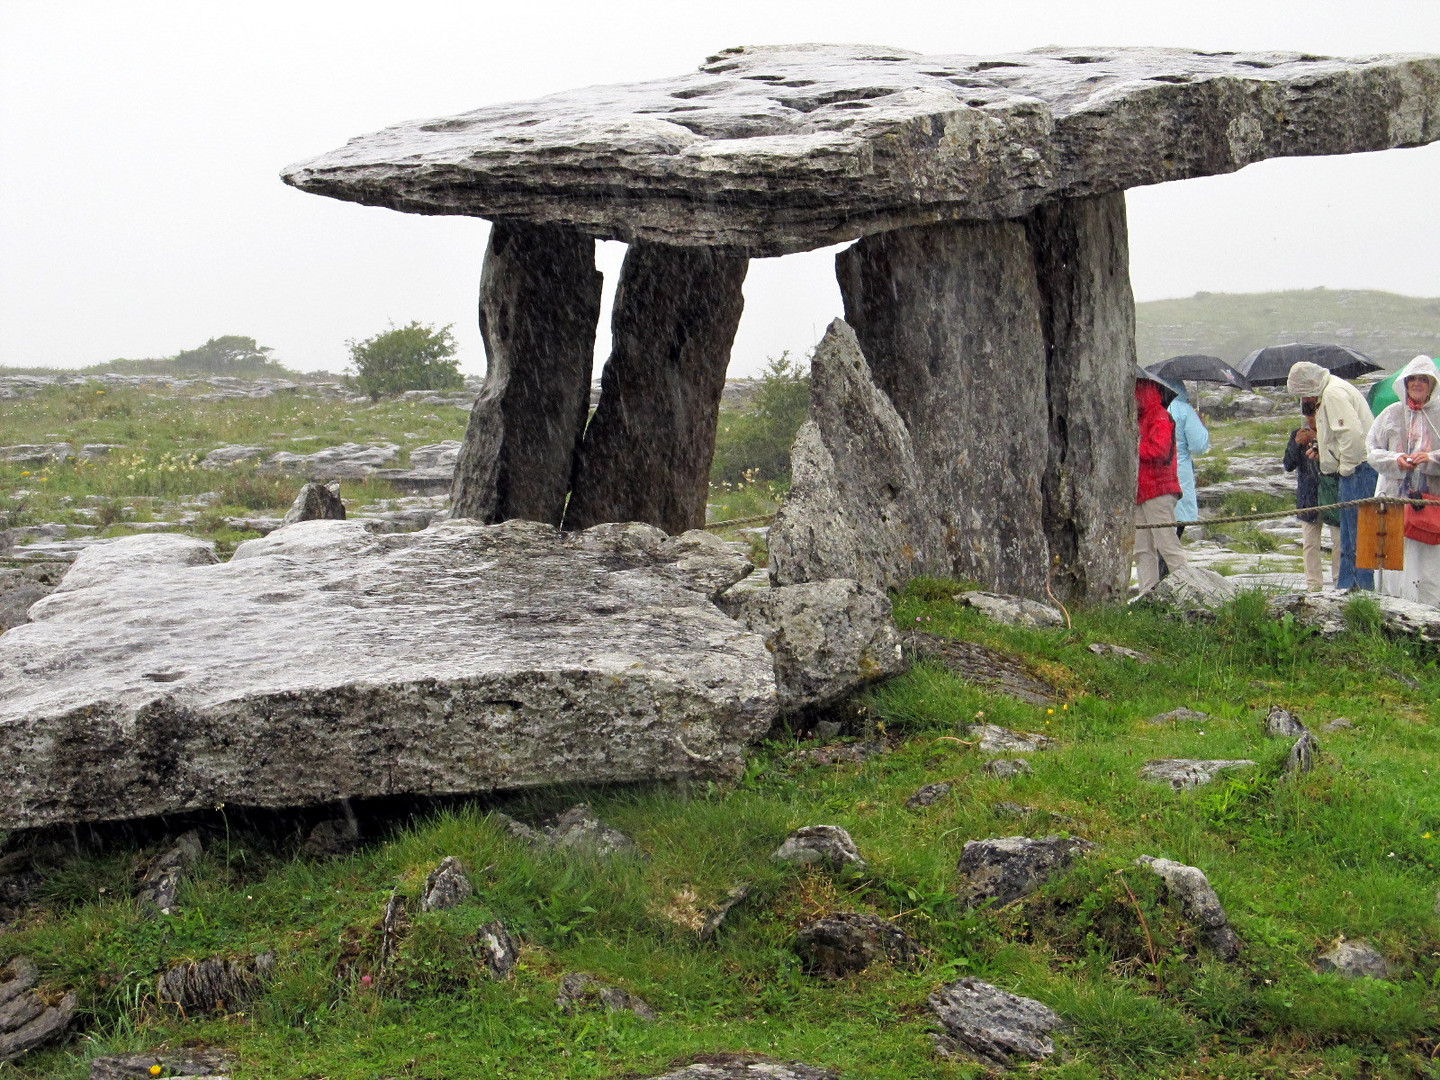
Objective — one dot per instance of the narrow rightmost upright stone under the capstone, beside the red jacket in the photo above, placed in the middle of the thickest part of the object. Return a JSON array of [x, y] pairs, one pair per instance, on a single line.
[[1088, 316]]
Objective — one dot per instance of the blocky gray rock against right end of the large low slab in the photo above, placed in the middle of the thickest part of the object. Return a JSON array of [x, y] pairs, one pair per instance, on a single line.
[[827, 639]]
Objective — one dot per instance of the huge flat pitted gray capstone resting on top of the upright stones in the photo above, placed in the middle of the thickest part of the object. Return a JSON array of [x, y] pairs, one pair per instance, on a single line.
[[783, 149]]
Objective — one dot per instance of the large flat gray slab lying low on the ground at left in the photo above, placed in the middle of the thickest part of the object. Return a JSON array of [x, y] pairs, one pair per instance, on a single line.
[[325, 662]]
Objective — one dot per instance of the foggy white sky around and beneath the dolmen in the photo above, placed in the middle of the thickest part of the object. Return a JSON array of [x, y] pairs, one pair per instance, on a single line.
[[140, 142]]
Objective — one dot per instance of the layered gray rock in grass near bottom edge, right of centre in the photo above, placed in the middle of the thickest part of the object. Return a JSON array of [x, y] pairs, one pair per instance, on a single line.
[[996, 1026]]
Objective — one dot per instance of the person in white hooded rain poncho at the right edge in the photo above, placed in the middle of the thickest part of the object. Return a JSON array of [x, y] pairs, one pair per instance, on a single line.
[[1405, 449]]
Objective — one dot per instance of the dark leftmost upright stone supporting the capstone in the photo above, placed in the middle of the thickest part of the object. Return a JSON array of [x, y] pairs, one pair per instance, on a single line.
[[539, 306]]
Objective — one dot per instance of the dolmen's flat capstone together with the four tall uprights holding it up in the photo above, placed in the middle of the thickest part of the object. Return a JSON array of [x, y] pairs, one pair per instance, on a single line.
[[987, 290]]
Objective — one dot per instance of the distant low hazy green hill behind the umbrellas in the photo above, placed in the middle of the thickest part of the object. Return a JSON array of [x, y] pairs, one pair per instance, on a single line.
[[1385, 326]]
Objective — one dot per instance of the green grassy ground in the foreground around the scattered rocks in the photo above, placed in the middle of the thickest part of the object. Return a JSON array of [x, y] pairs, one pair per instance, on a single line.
[[1349, 850]]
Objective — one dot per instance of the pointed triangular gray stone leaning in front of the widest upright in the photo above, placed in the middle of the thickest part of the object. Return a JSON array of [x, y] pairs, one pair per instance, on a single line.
[[856, 508]]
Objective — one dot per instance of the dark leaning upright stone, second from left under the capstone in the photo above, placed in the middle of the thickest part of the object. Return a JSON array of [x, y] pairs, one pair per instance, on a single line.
[[649, 447]]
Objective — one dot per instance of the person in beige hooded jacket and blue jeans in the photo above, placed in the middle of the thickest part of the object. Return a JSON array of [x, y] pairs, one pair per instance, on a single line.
[[1343, 423]]
